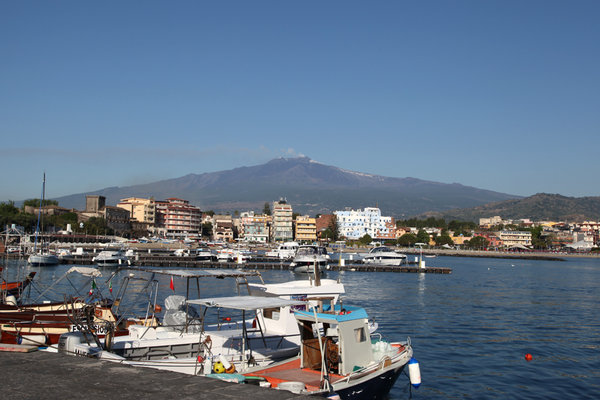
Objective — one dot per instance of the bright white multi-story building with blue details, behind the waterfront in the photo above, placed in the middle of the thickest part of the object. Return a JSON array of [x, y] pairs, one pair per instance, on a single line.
[[354, 224]]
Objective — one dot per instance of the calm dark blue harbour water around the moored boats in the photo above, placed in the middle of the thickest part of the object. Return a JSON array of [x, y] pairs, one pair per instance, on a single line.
[[472, 329]]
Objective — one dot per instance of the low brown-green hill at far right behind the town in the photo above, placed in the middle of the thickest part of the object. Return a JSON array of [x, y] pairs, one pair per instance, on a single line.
[[539, 207]]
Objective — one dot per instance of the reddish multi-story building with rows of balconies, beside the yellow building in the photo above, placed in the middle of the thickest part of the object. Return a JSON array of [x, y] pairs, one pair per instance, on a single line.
[[178, 217]]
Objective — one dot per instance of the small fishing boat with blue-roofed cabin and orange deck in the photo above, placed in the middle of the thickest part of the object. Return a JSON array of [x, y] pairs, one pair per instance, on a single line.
[[346, 362]]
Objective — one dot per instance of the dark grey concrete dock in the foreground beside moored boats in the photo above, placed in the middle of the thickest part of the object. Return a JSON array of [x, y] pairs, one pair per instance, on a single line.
[[43, 375]]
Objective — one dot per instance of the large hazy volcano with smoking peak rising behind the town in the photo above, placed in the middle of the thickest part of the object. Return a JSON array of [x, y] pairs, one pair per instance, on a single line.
[[309, 186]]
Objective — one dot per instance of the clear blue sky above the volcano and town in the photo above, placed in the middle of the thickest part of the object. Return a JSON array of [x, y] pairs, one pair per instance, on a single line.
[[500, 95]]
